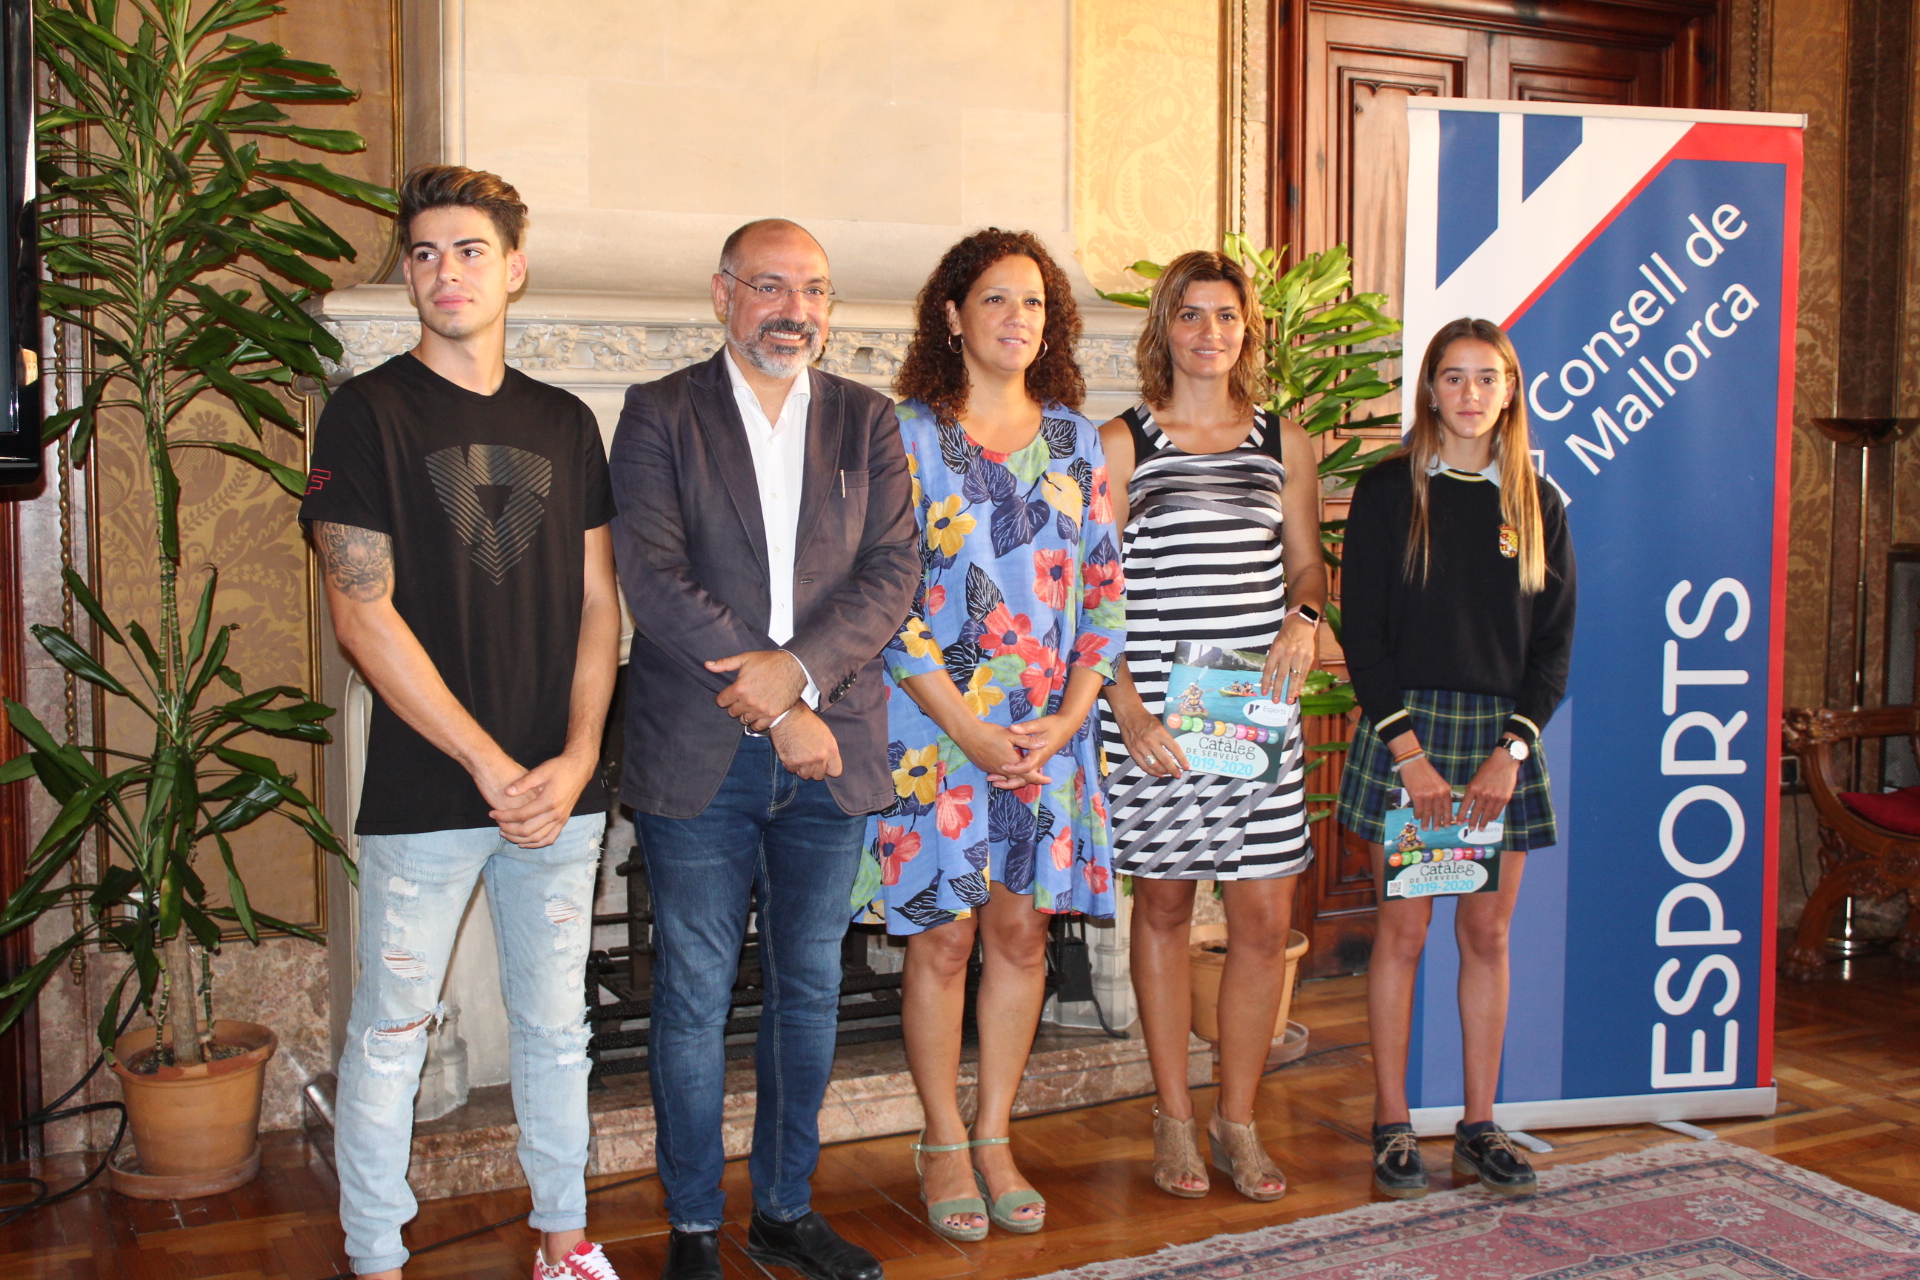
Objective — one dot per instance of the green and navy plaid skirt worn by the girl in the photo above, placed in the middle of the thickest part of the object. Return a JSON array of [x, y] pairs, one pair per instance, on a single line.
[[1458, 732]]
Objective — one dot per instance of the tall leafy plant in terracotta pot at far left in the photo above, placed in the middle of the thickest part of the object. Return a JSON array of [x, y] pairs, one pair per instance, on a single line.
[[183, 256]]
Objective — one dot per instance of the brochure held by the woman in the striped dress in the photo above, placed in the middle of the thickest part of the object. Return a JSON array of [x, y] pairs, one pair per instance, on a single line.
[[1220, 719]]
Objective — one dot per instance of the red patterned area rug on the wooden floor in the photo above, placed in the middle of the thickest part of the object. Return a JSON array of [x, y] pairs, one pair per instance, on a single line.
[[1683, 1212]]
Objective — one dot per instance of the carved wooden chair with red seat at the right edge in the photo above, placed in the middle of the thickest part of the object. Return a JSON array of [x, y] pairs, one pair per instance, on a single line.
[[1858, 859]]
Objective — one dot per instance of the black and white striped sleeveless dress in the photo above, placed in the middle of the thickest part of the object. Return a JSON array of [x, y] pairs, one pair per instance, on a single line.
[[1203, 561]]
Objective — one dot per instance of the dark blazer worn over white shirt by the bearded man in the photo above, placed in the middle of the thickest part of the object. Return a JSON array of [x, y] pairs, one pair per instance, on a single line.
[[692, 552]]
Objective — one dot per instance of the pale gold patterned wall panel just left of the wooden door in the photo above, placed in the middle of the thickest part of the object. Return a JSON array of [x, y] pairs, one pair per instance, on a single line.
[[1147, 122]]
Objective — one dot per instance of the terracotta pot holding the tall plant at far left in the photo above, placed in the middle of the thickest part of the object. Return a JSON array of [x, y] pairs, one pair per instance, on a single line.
[[195, 1127]]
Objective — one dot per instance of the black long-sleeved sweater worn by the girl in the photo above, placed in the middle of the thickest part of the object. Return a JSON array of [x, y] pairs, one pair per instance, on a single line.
[[1466, 628]]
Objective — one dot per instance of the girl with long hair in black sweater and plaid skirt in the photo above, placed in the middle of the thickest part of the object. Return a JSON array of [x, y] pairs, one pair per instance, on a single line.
[[1458, 598]]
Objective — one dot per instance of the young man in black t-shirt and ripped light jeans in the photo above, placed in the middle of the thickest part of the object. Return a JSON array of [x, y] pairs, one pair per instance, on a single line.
[[462, 515]]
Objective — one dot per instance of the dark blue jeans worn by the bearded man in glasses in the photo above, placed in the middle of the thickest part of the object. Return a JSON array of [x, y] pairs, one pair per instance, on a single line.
[[788, 838]]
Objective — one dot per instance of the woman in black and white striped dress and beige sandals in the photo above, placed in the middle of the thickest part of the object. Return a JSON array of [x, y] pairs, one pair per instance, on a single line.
[[1220, 552]]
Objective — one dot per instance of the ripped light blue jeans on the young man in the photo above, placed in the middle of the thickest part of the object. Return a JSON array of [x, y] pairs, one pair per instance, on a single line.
[[414, 891]]
